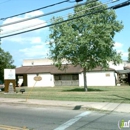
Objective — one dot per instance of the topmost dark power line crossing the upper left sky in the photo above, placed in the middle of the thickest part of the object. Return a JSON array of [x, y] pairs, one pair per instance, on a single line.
[[35, 9]]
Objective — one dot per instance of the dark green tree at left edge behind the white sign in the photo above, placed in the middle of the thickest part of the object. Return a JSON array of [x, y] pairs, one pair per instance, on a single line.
[[6, 61]]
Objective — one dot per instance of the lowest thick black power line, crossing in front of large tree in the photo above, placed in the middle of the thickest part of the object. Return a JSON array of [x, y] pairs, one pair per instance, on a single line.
[[100, 11]]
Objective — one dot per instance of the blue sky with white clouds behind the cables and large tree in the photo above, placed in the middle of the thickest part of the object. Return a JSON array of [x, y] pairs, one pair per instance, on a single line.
[[34, 44]]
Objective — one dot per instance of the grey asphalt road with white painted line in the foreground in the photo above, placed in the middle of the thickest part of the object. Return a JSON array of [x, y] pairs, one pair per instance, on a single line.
[[45, 118]]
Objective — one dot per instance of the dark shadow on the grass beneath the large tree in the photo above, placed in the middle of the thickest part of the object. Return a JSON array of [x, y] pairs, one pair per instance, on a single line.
[[82, 90]]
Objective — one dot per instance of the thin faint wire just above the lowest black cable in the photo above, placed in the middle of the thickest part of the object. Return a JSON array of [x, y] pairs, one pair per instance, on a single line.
[[63, 16]]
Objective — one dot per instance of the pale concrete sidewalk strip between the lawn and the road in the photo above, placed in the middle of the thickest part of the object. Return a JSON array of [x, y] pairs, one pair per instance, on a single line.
[[117, 107]]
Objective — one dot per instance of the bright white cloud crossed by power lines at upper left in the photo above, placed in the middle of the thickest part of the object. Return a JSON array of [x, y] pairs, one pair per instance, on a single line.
[[23, 26]]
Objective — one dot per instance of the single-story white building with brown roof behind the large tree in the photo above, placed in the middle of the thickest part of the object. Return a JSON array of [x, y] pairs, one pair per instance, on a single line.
[[70, 76]]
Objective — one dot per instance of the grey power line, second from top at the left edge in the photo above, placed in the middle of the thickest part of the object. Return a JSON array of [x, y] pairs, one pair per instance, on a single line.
[[57, 11]]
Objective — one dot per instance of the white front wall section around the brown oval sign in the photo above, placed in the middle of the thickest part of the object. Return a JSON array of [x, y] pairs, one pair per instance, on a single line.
[[47, 80]]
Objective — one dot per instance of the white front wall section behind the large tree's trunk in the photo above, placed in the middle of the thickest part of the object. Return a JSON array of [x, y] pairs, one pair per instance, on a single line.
[[98, 79]]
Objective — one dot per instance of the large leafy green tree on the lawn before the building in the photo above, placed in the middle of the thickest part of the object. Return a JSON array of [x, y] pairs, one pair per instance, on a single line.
[[86, 41]]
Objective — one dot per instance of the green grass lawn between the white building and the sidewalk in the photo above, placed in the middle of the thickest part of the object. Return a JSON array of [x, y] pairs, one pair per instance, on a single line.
[[94, 94]]
